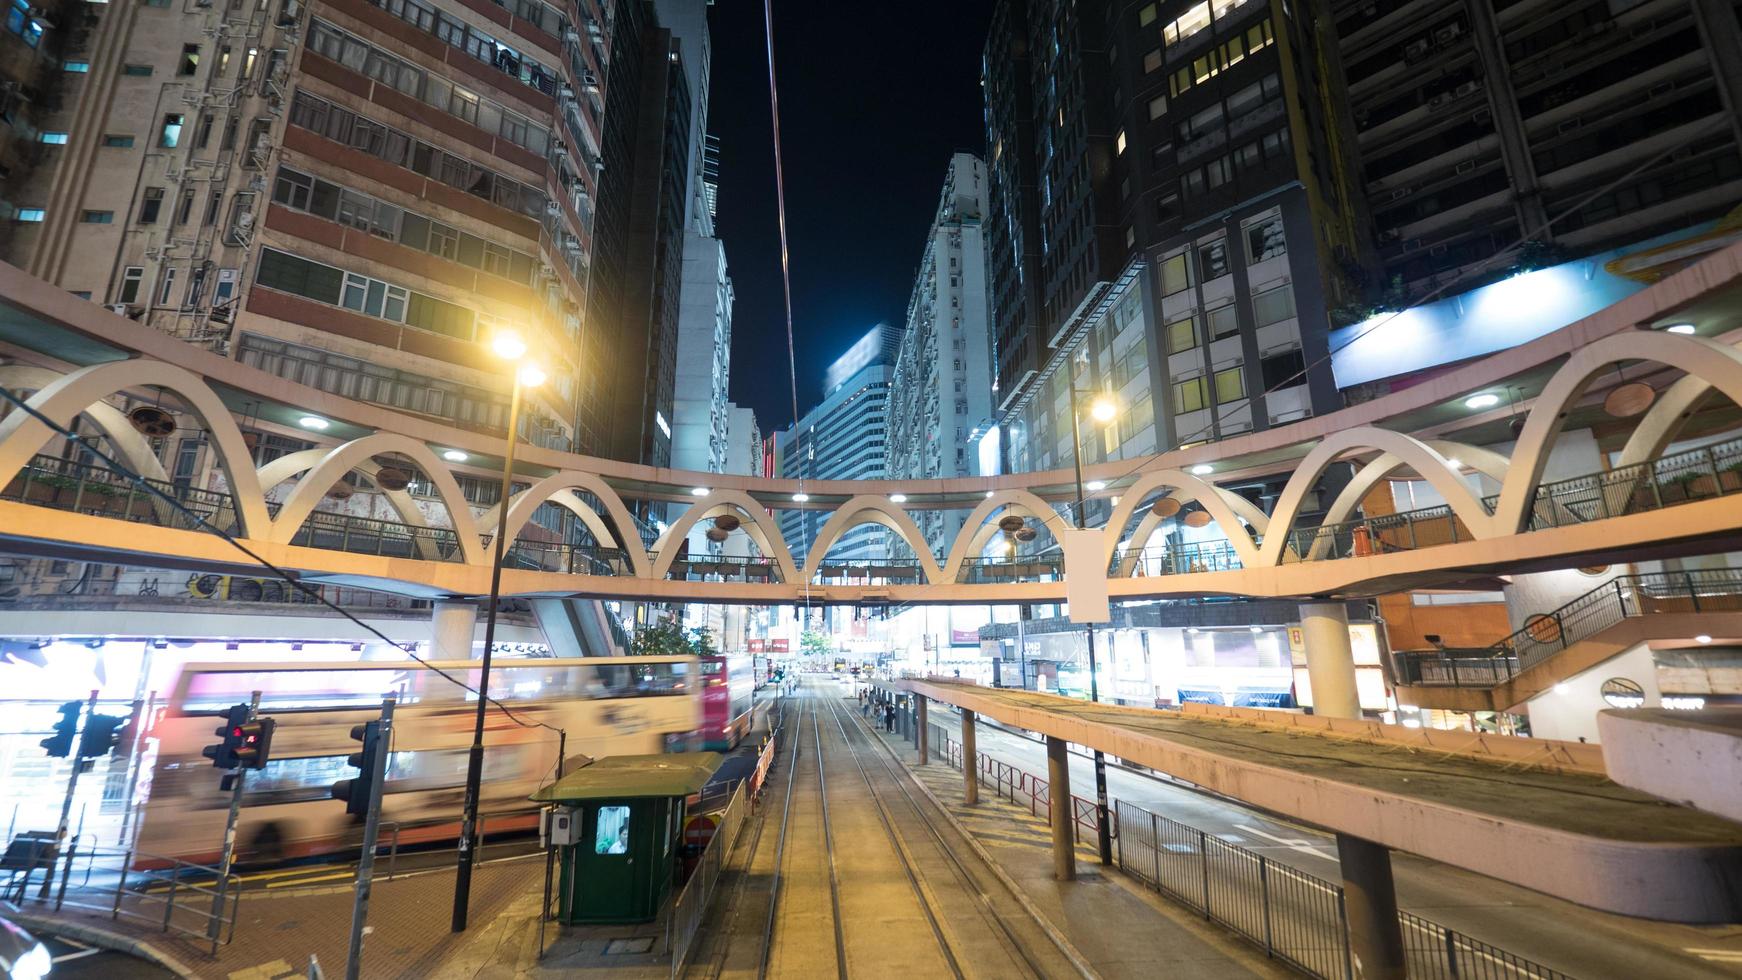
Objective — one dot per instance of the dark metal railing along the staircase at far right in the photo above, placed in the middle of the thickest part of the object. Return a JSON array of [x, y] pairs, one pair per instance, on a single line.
[[1701, 591]]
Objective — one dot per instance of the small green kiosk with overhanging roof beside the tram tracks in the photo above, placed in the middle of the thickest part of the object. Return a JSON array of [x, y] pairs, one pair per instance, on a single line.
[[619, 824]]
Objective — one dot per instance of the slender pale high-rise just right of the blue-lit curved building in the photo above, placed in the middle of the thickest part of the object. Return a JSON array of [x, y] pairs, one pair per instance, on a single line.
[[942, 391]]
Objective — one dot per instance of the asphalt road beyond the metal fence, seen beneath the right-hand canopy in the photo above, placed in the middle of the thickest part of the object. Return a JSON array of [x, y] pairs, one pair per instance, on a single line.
[[1577, 941]]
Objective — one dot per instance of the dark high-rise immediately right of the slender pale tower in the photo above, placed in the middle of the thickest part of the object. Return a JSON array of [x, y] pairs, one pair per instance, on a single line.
[[1063, 286]]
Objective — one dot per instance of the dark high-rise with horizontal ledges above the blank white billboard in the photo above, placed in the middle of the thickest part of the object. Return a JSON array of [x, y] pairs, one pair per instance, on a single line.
[[1482, 121]]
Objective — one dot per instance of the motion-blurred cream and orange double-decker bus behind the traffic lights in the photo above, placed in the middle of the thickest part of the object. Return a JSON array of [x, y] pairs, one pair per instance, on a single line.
[[609, 706]]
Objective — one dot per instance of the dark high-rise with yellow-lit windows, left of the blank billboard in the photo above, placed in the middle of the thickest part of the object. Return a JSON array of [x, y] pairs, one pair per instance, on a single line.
[[1238, 191]]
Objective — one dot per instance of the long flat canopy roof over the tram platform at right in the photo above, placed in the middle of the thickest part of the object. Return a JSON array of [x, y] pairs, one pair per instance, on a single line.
[[1527, 812]]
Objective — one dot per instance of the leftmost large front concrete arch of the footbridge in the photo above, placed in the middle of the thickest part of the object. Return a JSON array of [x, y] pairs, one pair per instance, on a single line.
[[22, 434]]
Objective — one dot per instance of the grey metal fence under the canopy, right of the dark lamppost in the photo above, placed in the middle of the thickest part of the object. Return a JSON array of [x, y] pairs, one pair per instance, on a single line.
[[1293, 916]]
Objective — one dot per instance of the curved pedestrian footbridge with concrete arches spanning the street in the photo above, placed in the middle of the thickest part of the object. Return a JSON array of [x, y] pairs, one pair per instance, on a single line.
[[379, 504]]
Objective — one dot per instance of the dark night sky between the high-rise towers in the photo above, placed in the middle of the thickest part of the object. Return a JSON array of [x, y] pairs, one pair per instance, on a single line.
[[874, 100]]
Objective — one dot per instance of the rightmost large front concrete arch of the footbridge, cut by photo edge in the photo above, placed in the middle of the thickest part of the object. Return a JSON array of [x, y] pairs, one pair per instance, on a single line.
[[1717, 365]]
